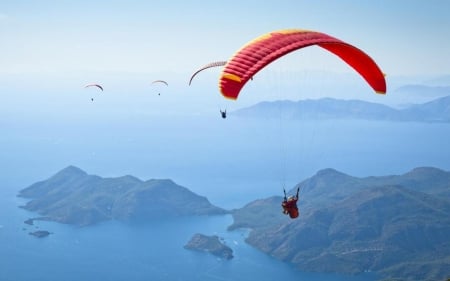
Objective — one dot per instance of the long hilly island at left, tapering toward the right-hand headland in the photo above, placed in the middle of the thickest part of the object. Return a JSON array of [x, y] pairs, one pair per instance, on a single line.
[[71, 196]]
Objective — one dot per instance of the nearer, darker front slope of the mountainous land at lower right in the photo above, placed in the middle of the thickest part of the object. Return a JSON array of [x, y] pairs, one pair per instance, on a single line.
[[373, 230]]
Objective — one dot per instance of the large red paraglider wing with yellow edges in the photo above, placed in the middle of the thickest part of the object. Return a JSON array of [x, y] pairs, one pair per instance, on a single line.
[[265, 49]]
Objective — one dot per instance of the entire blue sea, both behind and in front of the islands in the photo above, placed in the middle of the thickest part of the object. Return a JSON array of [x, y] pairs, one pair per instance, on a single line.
[[231, 162]]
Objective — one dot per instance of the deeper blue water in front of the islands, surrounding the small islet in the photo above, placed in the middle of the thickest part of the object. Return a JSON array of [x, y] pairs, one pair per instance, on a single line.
[[116, 251]]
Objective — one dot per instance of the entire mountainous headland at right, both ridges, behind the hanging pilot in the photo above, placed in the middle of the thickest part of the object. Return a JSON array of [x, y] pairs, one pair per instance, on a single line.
[[397, 226]]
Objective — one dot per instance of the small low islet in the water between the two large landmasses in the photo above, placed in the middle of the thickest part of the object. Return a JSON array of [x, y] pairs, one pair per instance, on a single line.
[[209, 244]]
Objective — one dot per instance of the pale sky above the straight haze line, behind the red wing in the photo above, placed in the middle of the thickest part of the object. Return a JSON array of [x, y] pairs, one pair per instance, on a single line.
[[404, 37]]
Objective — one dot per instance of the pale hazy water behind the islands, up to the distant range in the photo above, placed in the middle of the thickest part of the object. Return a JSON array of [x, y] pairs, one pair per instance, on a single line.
[[230, 161]]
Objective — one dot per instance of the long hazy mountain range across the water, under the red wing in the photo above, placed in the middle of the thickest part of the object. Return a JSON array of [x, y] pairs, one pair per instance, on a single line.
[[437, 110]]
